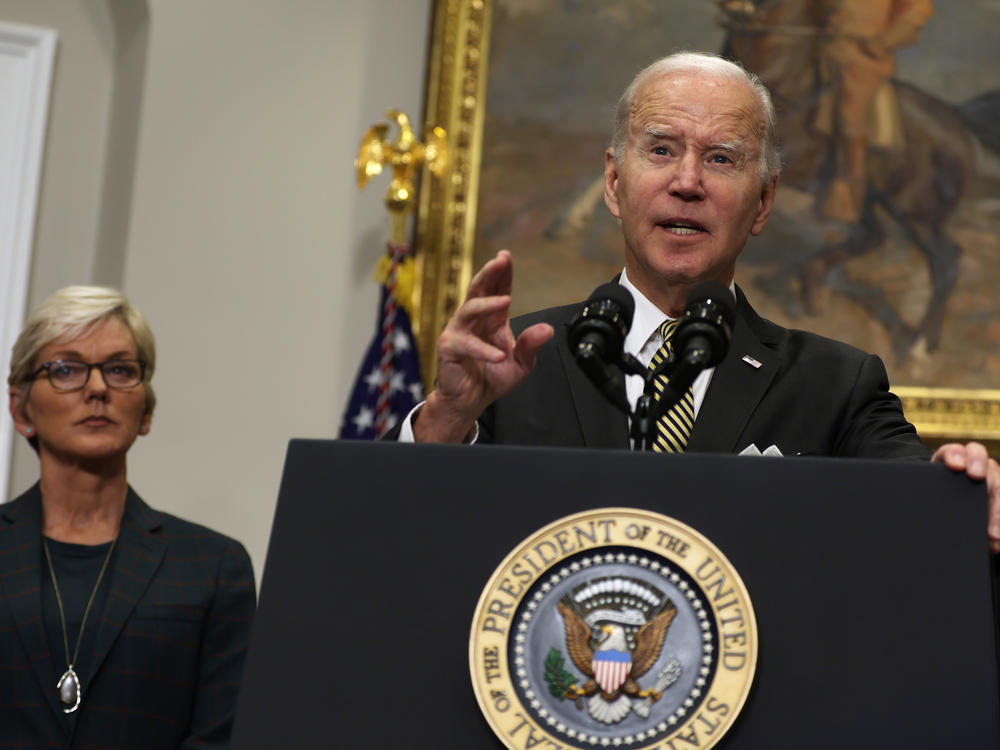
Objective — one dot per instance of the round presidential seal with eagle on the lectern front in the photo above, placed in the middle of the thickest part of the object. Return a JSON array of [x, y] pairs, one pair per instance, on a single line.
[[616, 628]]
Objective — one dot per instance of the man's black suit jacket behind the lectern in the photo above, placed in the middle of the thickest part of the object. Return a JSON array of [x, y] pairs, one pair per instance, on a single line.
[[811, 396]]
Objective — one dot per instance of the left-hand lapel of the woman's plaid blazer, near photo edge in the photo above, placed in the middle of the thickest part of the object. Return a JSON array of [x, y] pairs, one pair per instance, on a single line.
[[21, 576]]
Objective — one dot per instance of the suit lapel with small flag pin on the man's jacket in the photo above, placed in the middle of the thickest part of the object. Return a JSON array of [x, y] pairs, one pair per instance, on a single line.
[[736, 388]]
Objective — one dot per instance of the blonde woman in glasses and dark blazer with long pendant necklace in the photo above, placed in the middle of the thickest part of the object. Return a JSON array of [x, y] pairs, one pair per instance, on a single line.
[[122, 627]]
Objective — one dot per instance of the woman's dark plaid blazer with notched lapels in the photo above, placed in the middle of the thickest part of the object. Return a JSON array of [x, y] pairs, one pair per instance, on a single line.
[[170, 644]]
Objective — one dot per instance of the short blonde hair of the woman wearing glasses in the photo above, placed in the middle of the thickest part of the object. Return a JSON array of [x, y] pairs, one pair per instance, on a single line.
[[69, 314]]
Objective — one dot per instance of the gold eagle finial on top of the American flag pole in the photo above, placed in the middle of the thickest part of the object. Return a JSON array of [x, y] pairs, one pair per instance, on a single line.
[[405, 155]]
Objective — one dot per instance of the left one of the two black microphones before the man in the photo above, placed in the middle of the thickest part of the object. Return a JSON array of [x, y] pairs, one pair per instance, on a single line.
[[596, 338]]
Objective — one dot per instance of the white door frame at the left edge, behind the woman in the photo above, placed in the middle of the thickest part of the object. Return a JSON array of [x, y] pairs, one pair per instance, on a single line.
[[27, 54]]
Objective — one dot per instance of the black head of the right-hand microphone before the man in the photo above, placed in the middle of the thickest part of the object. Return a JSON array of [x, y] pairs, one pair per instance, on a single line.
[[703, 333]]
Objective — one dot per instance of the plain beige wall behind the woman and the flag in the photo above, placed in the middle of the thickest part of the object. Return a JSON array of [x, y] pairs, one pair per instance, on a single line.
[[247, 244]]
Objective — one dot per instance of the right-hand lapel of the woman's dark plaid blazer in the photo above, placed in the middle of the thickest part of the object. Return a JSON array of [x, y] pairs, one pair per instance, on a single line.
[[138, 555]]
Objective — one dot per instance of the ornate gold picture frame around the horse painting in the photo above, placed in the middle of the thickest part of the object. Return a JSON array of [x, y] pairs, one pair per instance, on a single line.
[[447, 213]]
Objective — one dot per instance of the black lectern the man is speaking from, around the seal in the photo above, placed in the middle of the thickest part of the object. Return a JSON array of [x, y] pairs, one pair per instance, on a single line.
[[870, 580]]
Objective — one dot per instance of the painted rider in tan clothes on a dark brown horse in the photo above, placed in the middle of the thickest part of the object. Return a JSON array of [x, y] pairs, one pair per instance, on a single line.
[[855, 141]]
